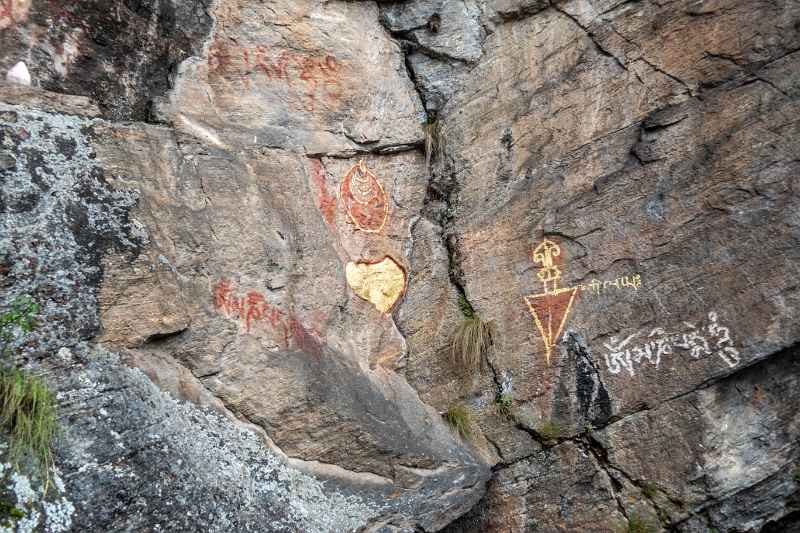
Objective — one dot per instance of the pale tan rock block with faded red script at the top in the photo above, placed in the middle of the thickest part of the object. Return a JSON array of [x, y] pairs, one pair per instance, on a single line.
[[337, 85]]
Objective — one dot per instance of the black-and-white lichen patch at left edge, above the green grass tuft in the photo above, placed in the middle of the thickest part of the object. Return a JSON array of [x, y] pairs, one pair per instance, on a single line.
[[60, 216]]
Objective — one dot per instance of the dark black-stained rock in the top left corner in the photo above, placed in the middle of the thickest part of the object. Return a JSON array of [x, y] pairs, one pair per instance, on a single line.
[[119, 53]]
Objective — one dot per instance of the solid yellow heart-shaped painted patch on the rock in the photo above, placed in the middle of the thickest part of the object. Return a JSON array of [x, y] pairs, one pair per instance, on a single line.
[[382, 283]]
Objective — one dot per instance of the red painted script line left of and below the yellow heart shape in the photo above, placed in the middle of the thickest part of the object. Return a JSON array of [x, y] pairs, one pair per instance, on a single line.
[[253, 309]]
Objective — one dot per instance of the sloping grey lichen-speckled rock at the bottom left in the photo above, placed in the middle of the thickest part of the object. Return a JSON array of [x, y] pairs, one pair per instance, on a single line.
[[142, 461]]
